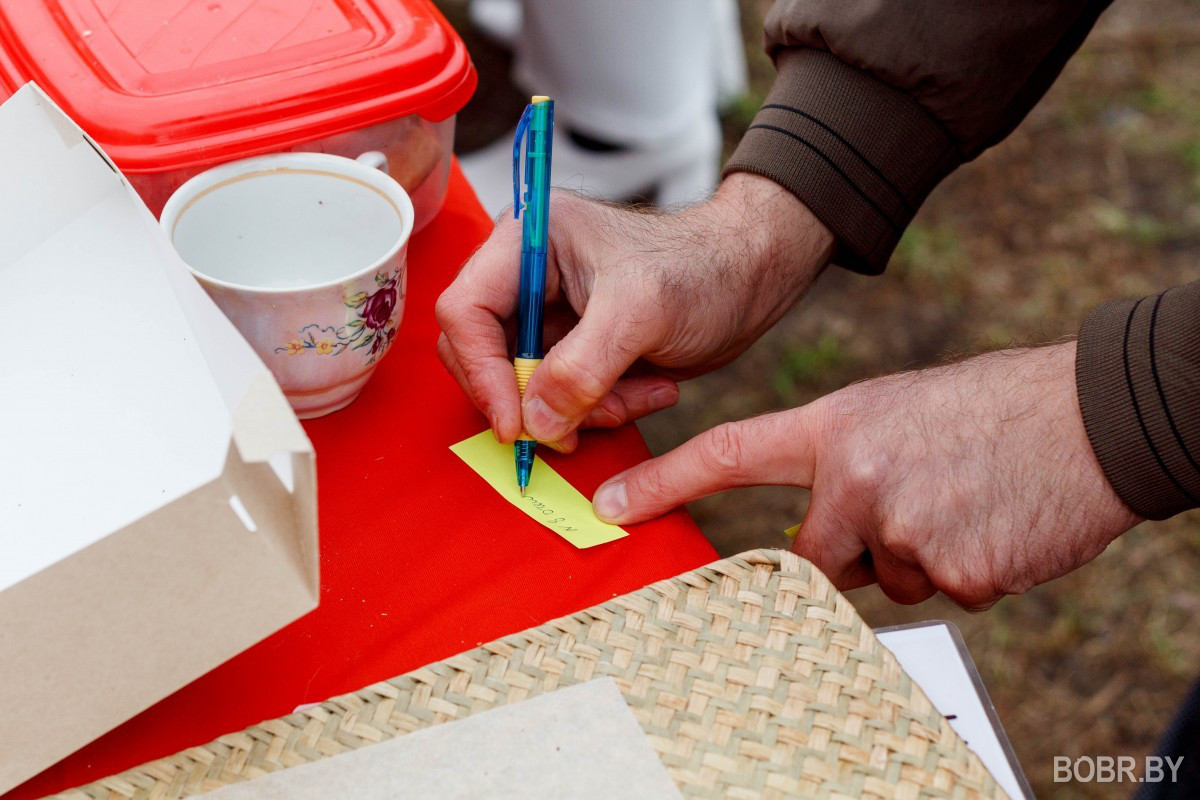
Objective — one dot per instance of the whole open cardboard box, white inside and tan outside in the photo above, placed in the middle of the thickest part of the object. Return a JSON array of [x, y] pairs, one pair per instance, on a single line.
[[158, 495]]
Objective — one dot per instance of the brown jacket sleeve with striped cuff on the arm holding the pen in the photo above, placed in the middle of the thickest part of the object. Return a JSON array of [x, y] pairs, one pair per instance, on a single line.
[[877, 101]]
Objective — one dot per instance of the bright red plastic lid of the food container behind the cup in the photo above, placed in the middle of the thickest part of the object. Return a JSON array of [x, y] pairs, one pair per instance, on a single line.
[[164, 85]]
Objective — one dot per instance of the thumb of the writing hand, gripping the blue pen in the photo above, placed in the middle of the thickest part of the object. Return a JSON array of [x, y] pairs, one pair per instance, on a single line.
[[579, 372]]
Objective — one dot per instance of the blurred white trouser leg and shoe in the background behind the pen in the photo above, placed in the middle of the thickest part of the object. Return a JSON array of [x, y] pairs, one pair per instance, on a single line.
[[640, 74]]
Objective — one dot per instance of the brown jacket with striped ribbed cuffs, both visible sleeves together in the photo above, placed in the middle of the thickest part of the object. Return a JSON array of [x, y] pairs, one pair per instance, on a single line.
[[877, 101]]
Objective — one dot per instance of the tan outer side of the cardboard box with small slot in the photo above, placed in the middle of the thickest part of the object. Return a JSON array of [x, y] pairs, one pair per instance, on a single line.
[[125, 622]]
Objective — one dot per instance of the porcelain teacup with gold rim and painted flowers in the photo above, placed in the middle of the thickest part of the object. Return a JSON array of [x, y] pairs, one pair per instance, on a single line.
[[307, 255]]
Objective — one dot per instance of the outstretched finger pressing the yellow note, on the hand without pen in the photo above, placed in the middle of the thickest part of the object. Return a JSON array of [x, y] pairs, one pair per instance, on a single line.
[[775, 449]]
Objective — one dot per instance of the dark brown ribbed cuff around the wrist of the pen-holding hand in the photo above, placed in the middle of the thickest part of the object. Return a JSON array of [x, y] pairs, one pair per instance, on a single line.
[[861, 155]]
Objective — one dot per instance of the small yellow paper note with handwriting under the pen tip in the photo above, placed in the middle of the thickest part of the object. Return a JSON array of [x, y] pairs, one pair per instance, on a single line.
[[549, 500]]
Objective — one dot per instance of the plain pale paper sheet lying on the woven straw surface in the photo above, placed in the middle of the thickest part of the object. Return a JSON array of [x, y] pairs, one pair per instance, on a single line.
[[580, 743]]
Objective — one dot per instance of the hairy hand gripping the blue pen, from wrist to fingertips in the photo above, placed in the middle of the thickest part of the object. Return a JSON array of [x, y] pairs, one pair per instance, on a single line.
[[679, 294]]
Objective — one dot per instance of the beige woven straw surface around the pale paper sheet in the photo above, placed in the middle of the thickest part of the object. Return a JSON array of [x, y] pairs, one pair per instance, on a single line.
[[752, 677]]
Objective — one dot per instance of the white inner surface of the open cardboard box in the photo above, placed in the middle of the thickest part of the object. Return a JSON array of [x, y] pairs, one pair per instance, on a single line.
[[129, 384]]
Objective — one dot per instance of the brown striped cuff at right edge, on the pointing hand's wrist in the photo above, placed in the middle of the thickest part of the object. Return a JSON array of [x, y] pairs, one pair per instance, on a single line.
[[1138, 372]]
